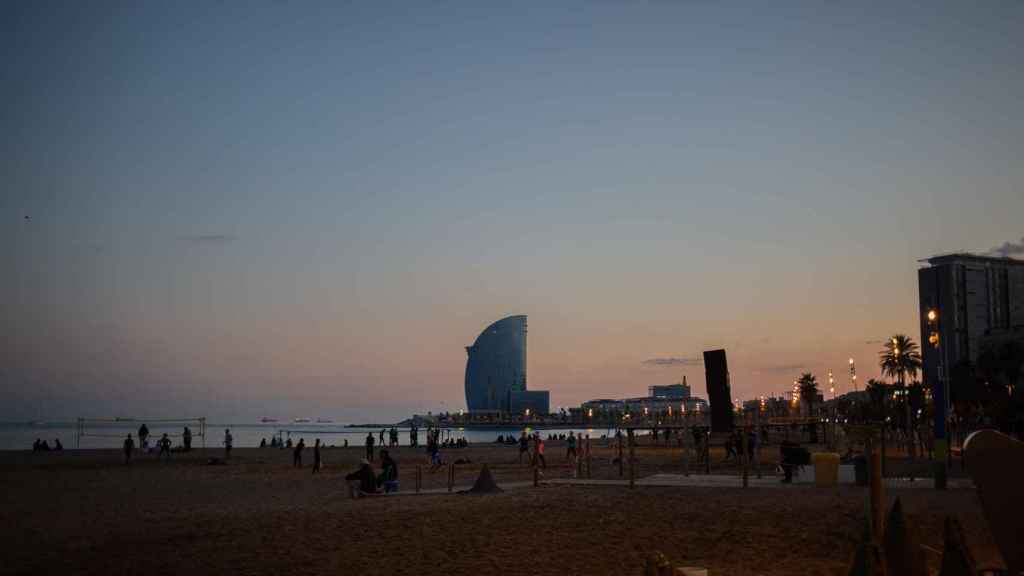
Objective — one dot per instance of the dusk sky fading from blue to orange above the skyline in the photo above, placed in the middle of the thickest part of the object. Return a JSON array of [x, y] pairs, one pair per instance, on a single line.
[[303, 210]]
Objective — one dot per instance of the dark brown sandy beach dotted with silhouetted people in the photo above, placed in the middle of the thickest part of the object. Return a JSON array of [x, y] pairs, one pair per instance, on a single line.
[[87, 513]]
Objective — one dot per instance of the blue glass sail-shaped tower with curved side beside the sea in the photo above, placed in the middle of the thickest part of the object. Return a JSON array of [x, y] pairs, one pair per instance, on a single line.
[[496, 371]]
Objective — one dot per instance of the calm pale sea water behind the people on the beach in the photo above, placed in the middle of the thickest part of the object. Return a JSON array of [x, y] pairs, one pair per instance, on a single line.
[[21, 436]]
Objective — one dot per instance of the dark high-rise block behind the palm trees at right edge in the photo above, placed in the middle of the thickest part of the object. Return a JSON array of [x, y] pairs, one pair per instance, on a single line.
[[972, 298]]
